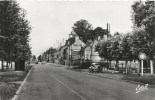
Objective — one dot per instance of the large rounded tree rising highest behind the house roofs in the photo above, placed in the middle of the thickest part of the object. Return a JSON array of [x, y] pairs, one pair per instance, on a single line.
[[82, 28]]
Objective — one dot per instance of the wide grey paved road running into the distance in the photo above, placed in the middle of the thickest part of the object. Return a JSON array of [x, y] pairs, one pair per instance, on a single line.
[[47, 82]]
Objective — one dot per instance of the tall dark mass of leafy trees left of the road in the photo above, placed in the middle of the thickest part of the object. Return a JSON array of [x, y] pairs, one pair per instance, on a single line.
[[14, 34]]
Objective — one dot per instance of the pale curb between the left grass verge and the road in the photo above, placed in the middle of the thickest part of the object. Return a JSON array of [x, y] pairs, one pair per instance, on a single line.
[[21, 86]]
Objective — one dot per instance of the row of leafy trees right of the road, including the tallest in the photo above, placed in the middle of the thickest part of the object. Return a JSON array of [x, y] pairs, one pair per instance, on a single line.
[[128, 46]]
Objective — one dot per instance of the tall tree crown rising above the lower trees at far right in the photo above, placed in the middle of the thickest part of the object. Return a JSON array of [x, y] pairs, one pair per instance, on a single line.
[[143, 15]]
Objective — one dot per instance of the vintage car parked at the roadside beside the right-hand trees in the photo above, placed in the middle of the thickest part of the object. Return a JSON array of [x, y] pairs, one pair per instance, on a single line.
[[95, 67]]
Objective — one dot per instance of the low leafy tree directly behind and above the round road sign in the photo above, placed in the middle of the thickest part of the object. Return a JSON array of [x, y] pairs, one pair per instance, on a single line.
[[140, 43]]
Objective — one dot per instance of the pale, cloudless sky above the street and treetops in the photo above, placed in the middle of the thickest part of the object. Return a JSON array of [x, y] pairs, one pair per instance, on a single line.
[[52, 21]]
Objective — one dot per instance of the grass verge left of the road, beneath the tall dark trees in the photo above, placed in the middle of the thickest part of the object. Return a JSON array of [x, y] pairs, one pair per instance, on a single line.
[[7, 88]]
